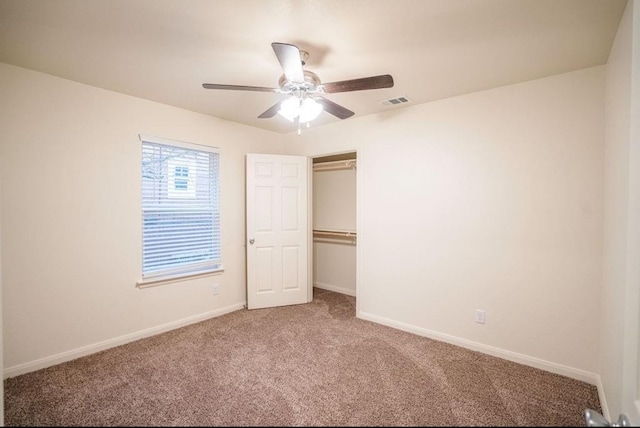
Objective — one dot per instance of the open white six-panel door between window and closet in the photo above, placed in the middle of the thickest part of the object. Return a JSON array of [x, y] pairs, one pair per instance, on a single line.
[[277, 231]]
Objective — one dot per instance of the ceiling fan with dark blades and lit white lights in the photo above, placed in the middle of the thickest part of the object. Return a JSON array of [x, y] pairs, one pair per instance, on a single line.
[[306, 101]]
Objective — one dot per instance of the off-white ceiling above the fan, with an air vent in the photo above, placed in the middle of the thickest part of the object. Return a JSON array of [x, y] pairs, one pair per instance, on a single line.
[[163, 50]]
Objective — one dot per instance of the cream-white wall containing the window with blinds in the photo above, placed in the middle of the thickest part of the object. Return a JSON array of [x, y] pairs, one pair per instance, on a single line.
[[71, 221]]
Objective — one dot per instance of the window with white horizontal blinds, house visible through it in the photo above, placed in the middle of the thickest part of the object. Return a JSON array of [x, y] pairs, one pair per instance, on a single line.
[[180, 209]]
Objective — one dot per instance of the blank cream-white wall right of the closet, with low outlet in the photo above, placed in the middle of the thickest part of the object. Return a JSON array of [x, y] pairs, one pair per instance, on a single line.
[[491, 200]]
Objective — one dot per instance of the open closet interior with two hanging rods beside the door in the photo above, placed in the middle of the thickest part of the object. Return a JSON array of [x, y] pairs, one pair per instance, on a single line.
[[334, 222]]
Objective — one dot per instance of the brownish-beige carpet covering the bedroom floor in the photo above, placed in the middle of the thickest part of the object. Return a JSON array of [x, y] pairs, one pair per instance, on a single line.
[[304, 365]]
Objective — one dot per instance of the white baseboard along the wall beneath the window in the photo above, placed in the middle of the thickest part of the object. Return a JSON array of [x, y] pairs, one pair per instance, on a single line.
[[101, 346]]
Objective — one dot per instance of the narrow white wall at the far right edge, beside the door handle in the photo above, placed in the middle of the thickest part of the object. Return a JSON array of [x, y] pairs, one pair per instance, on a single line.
[[621, 276]]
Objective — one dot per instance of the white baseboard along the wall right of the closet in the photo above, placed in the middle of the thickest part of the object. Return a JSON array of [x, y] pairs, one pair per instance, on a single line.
[[582, 375]]
